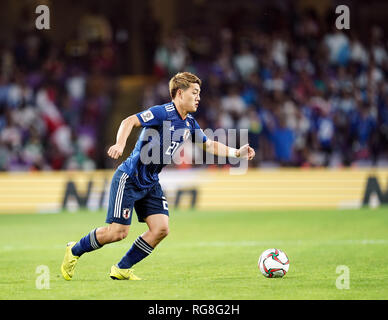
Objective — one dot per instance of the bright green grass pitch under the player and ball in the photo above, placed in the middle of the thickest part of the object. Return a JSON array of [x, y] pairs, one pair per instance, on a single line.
[[208, 255]]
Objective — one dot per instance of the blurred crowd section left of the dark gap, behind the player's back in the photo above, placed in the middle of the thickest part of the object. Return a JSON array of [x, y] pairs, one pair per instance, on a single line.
[[54, 100]]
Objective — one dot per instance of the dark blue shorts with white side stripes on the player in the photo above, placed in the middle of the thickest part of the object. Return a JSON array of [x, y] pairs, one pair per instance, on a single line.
[[126, 196]]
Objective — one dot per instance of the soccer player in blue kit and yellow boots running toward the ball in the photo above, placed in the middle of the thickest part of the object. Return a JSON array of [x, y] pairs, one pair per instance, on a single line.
[[135, 184]]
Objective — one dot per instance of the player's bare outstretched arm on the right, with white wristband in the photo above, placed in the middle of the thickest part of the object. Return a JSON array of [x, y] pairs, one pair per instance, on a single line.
[[220, 149]]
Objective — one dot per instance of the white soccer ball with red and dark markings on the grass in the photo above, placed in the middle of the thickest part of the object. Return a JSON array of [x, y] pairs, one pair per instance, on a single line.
[[273, 263]]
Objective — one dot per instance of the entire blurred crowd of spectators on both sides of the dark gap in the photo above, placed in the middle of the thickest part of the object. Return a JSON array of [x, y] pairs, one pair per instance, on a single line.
[[309, 95]]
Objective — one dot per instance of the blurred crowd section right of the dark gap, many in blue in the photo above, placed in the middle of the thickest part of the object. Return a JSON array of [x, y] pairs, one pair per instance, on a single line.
[[309, 95]]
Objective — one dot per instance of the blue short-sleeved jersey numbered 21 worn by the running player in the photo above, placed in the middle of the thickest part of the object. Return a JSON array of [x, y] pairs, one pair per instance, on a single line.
[[164, 130]]
